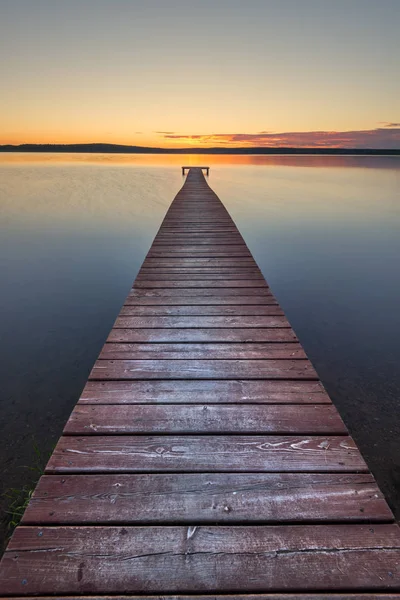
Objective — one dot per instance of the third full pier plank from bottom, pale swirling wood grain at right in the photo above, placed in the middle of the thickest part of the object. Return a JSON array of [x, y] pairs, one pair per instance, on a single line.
[[219, 453]]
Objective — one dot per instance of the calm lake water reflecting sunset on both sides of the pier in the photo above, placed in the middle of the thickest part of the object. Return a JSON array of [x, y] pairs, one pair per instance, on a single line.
[[74, 232]]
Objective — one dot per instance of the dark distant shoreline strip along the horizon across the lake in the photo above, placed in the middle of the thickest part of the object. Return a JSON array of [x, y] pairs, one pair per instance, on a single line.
[[122, 149]]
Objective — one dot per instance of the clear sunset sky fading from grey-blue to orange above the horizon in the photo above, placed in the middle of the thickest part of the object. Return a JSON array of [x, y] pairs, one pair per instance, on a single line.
[[178, 73]]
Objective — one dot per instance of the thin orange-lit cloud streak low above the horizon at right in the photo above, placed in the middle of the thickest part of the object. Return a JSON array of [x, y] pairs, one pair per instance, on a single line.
[[387, 137]]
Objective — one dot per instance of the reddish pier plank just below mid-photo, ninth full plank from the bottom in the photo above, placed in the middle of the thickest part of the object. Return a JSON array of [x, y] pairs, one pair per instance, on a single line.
[[218, 322]]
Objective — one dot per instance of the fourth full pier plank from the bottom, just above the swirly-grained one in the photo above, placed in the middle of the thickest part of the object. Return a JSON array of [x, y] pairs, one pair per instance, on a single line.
[[182, 419]]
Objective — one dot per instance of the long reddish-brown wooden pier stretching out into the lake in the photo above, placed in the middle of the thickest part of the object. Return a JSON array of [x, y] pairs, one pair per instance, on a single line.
[[204, 457]]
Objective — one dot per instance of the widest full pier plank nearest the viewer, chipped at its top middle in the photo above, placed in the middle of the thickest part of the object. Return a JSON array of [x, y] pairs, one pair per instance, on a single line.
[[201, 559]]
